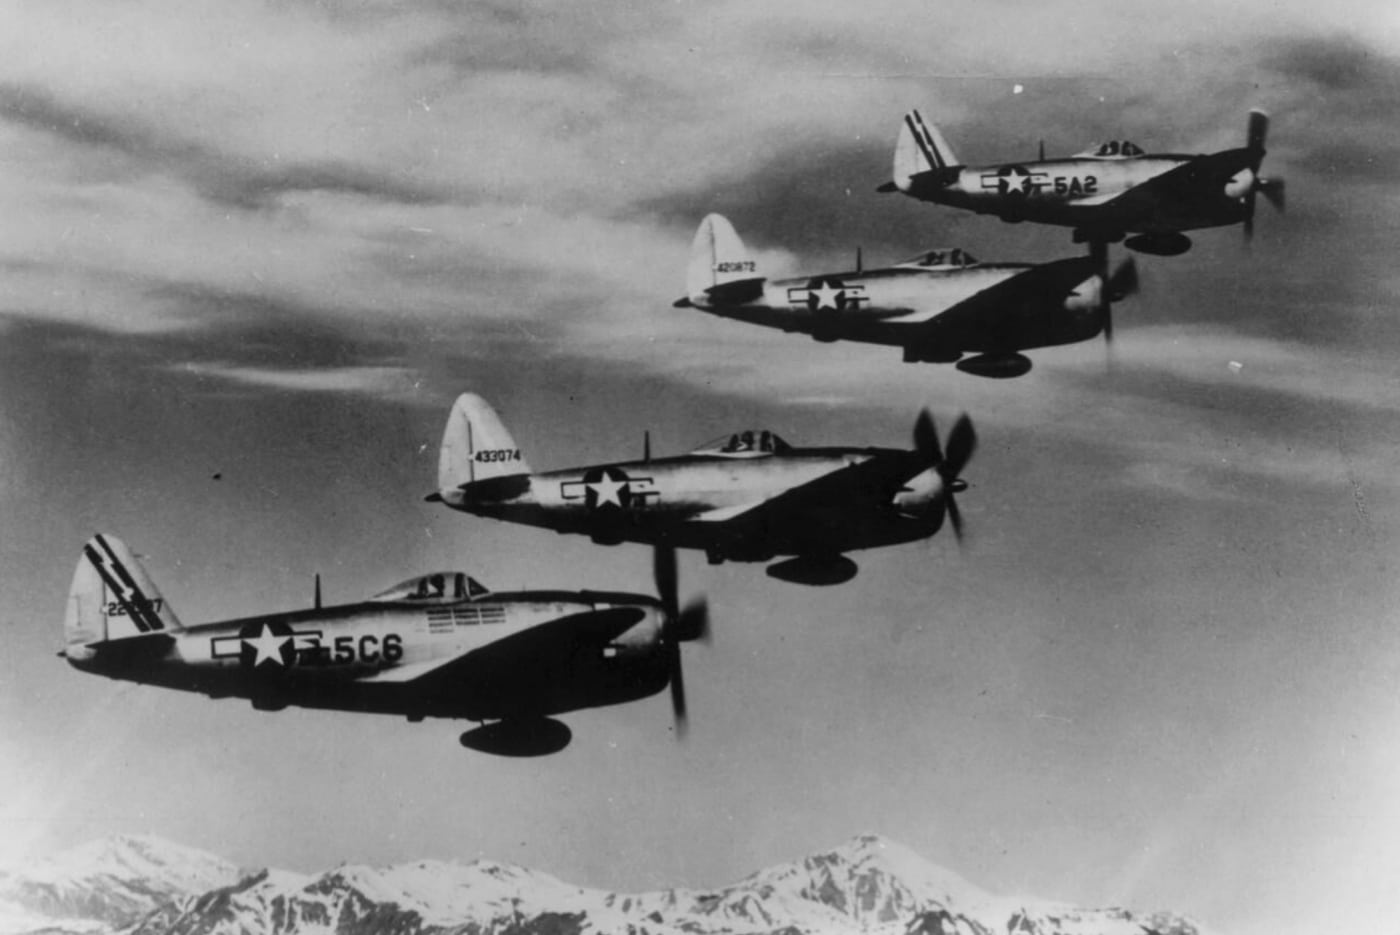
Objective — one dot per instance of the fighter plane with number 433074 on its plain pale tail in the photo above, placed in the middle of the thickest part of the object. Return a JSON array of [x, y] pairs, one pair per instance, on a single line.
[[744, 498]]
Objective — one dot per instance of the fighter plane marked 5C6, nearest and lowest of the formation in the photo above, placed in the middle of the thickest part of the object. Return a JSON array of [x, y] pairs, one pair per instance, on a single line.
[[435, 646]]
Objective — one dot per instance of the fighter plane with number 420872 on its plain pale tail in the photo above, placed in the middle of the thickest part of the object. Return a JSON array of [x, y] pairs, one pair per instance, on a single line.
[[937, 306]]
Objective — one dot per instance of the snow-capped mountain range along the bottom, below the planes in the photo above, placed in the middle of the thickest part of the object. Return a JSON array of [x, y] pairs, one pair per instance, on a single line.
[[867, 887]]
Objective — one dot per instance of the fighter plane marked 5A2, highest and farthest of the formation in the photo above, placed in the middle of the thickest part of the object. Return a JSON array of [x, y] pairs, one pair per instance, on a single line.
[[1107, 192]]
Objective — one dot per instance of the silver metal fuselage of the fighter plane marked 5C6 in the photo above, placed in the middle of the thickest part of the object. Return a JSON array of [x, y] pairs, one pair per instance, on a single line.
[[506, 656]]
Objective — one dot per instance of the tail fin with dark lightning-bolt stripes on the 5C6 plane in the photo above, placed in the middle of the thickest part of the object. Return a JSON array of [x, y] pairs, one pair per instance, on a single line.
[[113, 598]]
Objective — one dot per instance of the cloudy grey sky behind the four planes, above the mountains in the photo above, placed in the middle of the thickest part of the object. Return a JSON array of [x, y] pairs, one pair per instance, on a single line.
[[251, 253]]
